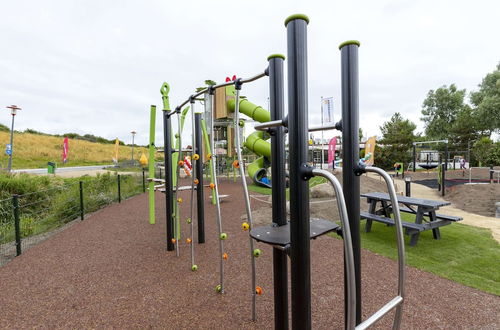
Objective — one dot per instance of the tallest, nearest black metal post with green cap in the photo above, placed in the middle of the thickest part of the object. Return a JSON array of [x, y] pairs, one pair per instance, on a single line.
[[299, 188]]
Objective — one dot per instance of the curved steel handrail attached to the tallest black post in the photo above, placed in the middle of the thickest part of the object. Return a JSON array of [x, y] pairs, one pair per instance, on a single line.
[[348, 254]]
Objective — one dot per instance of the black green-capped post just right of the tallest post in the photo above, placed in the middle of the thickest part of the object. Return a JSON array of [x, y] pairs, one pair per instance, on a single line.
[[350, 133]]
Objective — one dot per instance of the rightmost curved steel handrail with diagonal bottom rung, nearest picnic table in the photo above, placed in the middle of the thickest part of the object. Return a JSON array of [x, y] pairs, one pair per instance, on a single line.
[[398, 301]]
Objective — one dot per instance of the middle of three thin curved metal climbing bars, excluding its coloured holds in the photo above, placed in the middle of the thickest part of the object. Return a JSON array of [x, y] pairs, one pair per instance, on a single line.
[[217, 200]]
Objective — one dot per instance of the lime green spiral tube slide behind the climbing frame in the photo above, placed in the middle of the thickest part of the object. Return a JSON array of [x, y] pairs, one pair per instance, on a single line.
[[256, 142]]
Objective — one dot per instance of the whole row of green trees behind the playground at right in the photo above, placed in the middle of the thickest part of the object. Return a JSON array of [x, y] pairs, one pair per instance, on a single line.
[[448, 116]]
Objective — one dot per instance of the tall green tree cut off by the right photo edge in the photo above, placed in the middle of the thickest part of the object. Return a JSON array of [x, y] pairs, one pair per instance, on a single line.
[[487, 102]]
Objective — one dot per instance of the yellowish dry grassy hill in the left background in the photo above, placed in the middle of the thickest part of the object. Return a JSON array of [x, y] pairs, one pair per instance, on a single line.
[[35, 150]]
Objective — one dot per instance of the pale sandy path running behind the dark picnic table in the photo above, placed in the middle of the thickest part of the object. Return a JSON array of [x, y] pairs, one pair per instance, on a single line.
[[421, 191]]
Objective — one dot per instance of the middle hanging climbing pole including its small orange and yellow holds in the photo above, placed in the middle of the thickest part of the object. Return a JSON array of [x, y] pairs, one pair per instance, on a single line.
[[215, 187]]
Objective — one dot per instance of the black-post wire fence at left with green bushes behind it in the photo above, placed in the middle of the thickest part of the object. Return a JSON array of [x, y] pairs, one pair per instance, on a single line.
[[28, 219]]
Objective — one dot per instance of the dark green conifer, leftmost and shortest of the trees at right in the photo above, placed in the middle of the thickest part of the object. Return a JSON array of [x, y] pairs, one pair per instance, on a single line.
[[397, 138]]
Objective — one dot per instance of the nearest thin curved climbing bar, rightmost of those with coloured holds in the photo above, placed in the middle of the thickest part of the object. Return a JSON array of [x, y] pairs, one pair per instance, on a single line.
[[247, 197]]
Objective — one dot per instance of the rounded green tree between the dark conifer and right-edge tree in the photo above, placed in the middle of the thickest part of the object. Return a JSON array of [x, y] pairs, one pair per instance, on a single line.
[[441, 109]]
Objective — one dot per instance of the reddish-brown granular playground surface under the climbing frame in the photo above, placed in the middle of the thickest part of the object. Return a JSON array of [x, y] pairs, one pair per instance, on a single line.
[[112, 271]]
